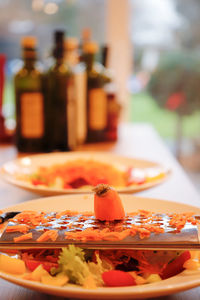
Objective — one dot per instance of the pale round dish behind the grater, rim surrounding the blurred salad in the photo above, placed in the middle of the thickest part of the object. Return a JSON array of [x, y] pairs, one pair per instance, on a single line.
[[18, 172]]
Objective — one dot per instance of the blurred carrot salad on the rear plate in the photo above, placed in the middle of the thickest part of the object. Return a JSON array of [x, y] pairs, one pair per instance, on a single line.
[[82, 173]]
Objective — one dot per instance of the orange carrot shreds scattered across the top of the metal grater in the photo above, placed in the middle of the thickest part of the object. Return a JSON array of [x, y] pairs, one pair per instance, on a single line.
[[142, 222]]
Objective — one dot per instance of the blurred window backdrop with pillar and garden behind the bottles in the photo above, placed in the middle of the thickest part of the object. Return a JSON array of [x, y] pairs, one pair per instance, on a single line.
[[154, 54]]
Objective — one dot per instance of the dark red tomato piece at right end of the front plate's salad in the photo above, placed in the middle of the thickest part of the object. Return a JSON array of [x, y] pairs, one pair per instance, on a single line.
[[176, 266]]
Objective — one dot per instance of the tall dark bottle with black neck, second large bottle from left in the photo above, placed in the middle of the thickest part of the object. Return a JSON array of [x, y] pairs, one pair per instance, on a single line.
[[58, 100]]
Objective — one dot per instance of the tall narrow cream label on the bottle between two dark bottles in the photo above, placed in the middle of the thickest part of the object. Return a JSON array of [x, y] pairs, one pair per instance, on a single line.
[[80, 80]]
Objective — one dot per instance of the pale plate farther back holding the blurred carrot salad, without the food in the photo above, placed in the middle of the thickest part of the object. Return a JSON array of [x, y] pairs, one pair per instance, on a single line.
[[11, 171]]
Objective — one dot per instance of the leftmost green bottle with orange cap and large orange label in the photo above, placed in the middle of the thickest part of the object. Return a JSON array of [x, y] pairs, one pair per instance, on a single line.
[[29, 101]]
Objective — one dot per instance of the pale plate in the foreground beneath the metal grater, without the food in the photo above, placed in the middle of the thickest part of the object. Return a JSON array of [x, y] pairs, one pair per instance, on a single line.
[[181, 282]]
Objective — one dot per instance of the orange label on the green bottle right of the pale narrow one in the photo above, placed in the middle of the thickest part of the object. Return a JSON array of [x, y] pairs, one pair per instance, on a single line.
[[97, 109]]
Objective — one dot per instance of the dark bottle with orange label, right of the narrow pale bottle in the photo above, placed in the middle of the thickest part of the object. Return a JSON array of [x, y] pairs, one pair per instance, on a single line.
[[96, 96]]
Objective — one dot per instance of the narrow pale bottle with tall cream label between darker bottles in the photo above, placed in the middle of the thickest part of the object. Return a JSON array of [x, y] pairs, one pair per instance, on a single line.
[[80, 88]]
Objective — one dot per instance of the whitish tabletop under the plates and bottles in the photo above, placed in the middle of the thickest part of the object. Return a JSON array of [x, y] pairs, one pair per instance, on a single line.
[[135, 140]]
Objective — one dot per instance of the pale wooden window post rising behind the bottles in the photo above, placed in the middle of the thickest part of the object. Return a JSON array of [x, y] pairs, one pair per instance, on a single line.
[[118, 38]]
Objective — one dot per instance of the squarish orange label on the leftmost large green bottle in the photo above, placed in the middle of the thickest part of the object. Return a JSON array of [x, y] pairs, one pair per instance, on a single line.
[[32, 115]]
